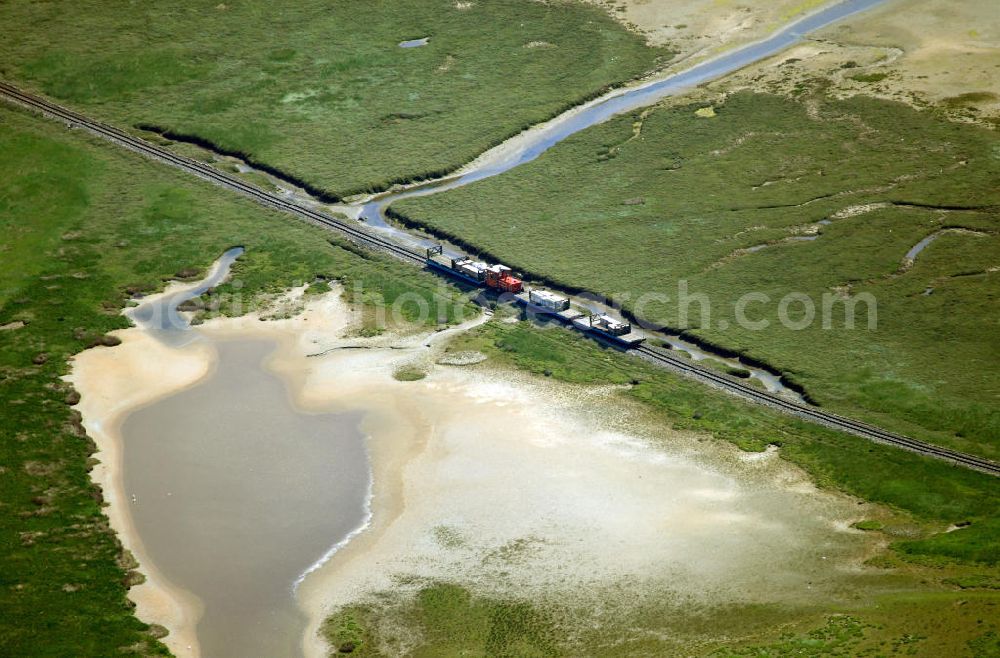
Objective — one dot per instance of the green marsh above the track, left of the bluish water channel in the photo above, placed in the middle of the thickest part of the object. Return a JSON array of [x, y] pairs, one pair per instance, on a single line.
[[321, 90]]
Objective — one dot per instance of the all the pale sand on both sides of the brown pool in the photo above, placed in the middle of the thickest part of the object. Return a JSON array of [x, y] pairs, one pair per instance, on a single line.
[[581, 483]]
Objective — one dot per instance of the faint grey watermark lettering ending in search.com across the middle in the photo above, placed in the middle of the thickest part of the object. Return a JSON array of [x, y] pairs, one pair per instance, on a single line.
[[681, 308]]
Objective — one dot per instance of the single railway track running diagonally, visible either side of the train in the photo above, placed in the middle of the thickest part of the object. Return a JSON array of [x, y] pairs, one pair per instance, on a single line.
[[365, 238]]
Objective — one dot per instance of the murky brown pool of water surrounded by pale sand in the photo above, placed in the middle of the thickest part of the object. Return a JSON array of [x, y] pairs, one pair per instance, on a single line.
[[236, 494]]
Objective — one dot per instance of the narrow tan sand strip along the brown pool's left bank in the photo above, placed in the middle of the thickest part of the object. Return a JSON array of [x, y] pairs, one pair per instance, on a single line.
[[113, 382]]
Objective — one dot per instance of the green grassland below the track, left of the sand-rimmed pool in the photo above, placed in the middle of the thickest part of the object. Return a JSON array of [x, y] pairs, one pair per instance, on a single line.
[[81, 225]]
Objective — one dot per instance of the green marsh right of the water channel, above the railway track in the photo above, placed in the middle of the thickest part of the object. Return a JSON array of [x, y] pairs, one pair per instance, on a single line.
[[725, 202]]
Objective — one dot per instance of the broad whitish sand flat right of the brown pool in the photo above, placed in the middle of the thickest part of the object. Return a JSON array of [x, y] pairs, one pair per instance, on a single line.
[[514, 486]]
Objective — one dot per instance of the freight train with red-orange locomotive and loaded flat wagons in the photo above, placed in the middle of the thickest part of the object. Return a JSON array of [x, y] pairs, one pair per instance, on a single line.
[[501, 278]]
